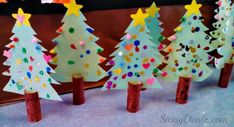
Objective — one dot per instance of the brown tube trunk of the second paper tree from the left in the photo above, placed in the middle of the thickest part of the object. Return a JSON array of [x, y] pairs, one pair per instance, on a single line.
[[78, 89]]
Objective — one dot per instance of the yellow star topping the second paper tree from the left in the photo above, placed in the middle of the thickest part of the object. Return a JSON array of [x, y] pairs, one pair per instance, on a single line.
[[73, 8]]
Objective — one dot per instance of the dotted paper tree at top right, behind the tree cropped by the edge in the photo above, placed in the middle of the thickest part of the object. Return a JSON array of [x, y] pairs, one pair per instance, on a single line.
[[222, 16]]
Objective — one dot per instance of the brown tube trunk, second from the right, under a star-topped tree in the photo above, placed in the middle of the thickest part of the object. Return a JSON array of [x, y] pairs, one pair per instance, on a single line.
[[183, 90]]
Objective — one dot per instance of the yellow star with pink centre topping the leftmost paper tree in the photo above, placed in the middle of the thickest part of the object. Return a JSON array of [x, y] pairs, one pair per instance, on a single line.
[[22, 18]]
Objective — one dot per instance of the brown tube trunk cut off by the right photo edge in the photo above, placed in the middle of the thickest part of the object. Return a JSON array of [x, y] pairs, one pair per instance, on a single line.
[[225, 75]]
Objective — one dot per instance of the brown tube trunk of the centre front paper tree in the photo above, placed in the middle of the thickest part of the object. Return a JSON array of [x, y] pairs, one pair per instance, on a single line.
[[133, 99]]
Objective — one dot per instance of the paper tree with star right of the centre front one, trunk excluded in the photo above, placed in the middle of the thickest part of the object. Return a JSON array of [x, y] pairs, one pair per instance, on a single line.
[[188, 50]]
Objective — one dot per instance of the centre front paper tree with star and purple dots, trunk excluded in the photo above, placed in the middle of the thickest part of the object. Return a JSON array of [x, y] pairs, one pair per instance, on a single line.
[[136, 58]]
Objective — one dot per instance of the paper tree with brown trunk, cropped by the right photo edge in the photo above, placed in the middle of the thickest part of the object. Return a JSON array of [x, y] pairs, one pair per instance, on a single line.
[[227, 51]]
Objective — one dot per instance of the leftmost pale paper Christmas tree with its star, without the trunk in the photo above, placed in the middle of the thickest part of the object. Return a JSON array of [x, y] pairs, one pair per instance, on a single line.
[[29, 69]]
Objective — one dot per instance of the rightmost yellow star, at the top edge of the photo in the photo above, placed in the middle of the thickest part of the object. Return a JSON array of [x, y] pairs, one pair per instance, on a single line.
[[193, 8]]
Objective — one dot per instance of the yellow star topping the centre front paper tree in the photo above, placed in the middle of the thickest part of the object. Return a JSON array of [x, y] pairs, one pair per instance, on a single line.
[[139, 18]]
